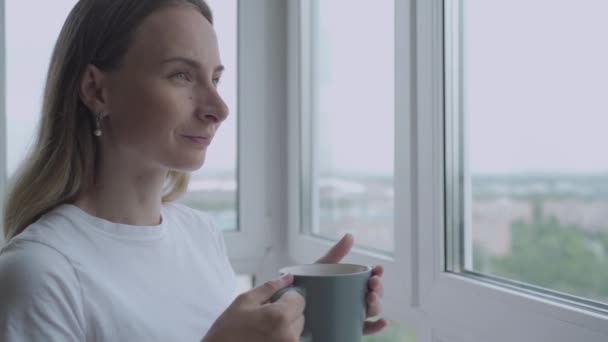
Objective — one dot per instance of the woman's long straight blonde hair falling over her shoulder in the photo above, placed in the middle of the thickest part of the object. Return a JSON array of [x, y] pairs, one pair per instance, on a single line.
[[63, 161]]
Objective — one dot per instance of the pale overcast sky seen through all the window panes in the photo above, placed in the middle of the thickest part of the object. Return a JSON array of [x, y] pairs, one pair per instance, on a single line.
[[535, 85]]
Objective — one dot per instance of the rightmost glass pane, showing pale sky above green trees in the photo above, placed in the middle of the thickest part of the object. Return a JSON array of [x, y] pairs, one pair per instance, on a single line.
[[536, 114]]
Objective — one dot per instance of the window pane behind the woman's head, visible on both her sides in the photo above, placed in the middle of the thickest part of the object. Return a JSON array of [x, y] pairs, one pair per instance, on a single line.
[[28, 52]]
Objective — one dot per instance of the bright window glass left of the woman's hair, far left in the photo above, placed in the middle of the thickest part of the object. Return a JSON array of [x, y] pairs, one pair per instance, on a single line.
[[28, 52]]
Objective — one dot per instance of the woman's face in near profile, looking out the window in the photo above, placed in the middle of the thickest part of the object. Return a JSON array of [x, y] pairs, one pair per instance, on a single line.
[[163, 104]]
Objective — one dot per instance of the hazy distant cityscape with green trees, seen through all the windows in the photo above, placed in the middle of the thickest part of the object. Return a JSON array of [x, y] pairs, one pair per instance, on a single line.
[[549, 230]]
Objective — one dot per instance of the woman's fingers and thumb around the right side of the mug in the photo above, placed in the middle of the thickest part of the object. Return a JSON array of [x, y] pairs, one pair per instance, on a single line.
[[375, 288]]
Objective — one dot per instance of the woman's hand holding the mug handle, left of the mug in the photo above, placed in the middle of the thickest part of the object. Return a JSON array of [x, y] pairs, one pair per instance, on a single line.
[[251, 317]]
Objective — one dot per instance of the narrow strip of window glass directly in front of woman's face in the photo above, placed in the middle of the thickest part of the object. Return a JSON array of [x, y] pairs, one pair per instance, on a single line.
[[213, 188]]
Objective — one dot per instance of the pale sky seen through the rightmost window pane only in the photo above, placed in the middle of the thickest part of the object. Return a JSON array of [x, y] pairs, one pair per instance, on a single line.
[[537, 87]]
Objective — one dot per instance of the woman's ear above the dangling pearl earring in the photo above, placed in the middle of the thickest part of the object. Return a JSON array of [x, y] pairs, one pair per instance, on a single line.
[[92, 89]]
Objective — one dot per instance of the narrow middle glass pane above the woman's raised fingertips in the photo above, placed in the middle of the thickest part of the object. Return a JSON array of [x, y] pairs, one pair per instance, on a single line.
[[353, 107]]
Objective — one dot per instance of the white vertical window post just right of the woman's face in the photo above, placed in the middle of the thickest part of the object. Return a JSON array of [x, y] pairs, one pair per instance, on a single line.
[[253, 247]]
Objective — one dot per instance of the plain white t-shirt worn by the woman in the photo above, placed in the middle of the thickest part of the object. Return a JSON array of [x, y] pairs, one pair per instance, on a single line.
[[71, 276]]
